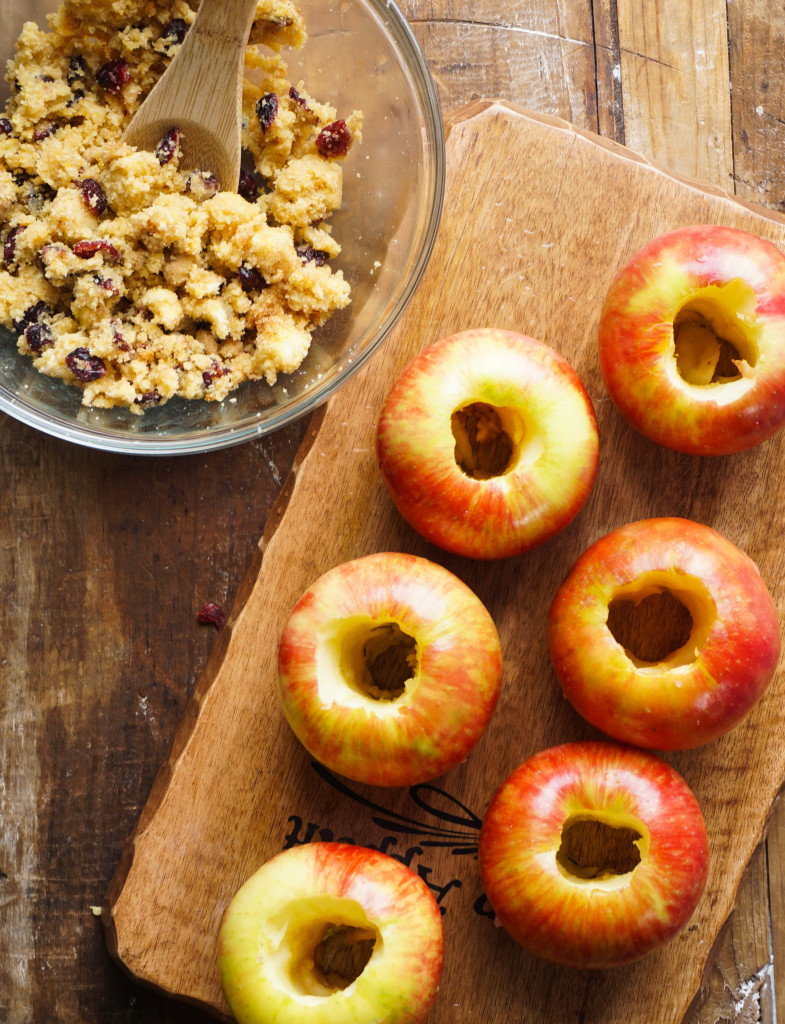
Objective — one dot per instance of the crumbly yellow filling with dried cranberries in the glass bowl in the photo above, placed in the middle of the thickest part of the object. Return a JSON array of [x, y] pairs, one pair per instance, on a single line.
[[130, 278]]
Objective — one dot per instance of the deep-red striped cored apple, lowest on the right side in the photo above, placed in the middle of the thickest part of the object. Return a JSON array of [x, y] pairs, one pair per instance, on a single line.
[[594, 855]]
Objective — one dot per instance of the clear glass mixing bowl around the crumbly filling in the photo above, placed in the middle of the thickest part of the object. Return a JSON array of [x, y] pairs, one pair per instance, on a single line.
[[360, 55]]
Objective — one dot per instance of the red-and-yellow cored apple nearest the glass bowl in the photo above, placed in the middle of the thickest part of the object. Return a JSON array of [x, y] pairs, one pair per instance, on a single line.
[[488, 444]]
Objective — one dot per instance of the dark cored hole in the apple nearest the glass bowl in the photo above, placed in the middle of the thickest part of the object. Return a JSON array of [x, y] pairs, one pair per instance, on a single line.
[[486, 440]]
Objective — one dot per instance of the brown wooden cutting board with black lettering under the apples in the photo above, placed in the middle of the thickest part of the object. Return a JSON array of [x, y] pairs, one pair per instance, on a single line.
[[538, 219]]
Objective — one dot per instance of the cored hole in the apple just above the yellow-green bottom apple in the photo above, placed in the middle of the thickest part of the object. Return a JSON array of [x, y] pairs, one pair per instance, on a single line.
[[379, 661]]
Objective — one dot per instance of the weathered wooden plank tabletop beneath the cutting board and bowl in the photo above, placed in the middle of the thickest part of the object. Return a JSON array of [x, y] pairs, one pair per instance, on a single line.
[[107, 561]]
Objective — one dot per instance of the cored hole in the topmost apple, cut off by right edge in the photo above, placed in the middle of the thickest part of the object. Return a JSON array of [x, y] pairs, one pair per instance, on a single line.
[[715, 335]]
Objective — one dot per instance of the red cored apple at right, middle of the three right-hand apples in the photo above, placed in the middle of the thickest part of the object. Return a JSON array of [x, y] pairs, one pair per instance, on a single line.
[[681, 698]]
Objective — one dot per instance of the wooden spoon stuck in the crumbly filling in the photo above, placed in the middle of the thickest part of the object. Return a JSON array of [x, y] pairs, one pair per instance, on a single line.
[[201, 94]]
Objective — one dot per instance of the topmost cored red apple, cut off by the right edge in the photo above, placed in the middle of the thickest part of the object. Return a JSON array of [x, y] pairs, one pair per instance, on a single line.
[[692, 340]]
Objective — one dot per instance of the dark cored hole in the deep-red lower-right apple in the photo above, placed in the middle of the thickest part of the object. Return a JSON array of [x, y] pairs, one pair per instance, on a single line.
[[597, 851]]
